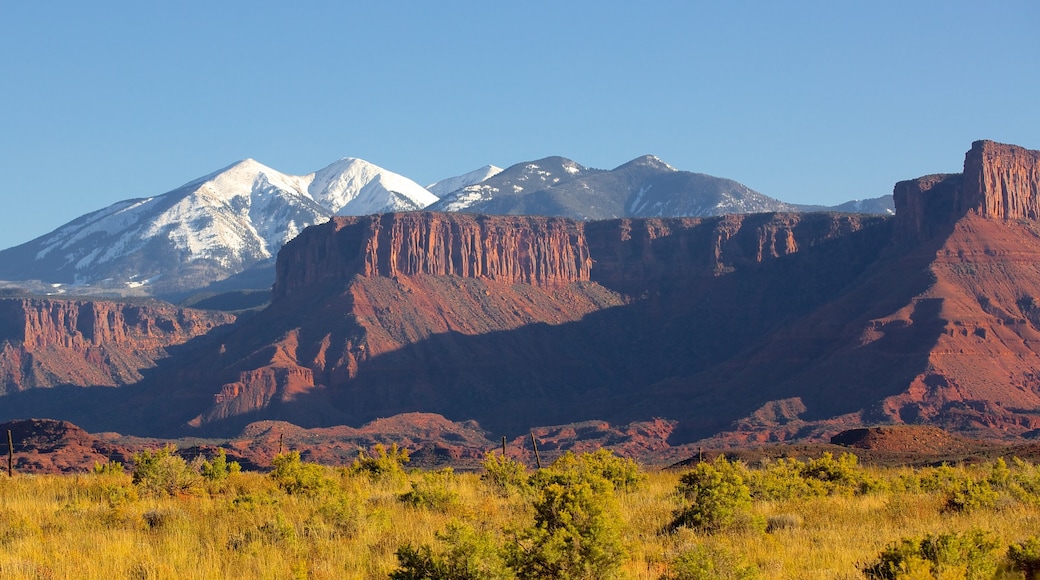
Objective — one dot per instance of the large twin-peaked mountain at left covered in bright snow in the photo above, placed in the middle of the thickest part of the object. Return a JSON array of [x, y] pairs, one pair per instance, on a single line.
[[206, 230]]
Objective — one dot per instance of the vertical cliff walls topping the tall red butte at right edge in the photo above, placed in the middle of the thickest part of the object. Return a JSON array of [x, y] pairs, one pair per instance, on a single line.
[[1000, 182]]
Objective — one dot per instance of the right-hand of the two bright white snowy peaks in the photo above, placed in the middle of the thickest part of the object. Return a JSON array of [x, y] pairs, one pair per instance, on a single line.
[[354, 187]]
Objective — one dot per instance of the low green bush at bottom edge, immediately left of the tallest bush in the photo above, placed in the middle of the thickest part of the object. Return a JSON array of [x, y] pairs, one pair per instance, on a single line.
[[467, 556]]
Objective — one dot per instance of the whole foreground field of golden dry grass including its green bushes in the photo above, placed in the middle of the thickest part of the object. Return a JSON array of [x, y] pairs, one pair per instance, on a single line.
[[593, 516]]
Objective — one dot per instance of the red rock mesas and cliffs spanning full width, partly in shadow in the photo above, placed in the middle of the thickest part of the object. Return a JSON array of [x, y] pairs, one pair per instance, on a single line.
[[722, 330]]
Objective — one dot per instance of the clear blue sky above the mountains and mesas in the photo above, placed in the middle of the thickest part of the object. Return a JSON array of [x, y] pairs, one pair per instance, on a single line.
[[809, 102]]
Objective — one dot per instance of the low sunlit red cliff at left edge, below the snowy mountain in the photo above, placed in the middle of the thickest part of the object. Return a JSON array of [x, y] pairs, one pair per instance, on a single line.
[[49, 342]]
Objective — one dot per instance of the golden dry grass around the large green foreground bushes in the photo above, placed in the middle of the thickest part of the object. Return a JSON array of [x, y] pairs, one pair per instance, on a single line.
[[350, 523]]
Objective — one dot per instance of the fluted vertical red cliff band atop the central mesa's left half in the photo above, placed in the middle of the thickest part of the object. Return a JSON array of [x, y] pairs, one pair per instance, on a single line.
[[542, 252]]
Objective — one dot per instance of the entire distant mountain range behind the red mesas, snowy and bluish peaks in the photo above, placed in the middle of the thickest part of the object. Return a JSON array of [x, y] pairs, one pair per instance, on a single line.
[[222, 232]]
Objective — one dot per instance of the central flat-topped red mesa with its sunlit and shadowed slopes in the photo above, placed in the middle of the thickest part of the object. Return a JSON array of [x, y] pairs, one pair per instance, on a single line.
[[480, 317]]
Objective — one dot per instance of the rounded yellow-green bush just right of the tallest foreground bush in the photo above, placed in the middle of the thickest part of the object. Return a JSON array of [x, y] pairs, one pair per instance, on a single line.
[[717, 498]]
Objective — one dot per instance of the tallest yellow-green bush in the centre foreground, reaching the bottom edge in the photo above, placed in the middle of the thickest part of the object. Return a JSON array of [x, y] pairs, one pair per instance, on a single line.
[[577, 532]]
